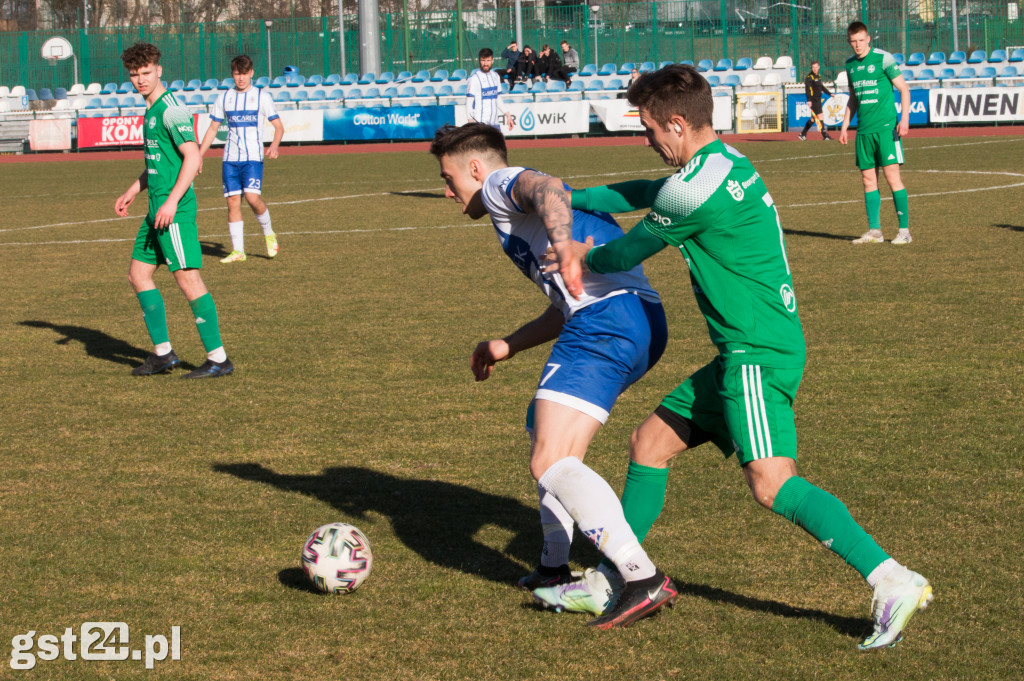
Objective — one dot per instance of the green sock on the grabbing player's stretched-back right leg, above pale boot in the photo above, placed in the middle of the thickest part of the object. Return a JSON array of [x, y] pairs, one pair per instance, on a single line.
[[828, 521]]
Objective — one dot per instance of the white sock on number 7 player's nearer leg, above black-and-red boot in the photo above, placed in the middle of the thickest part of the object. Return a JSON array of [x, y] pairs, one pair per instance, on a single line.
[[598, 512]]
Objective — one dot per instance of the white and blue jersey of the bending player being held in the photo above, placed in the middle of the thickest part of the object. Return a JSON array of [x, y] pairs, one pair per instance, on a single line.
[[525, 240]]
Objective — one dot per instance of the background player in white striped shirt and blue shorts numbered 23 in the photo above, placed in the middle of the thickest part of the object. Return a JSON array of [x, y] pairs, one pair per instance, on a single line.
[[244, 107]]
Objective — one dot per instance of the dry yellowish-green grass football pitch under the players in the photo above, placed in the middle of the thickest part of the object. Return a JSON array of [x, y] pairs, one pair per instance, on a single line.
[[160, 502]]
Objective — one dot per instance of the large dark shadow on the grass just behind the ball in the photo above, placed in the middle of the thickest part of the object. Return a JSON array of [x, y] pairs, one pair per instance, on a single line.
[[439, 521]]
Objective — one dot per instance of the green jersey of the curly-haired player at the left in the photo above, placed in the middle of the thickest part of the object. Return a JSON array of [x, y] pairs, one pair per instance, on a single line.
[[167, 125]]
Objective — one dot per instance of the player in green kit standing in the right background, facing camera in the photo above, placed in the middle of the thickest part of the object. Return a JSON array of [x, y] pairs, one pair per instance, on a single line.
[[874, 74]]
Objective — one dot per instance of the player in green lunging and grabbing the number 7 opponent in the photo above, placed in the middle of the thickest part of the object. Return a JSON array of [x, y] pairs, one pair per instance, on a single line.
[[717, 211]]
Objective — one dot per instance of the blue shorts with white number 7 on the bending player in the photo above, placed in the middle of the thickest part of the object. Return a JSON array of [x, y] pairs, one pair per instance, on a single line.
[[603, 351]]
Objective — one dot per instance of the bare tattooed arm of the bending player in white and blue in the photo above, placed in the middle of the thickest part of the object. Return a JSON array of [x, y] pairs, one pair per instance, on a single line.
[[546, 196]]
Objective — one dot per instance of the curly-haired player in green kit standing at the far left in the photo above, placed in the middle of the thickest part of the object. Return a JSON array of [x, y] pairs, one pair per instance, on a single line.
[[169, 234]]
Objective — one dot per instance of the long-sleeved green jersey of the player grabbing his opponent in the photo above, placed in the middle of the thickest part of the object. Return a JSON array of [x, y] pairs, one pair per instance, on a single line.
[[719, 215]]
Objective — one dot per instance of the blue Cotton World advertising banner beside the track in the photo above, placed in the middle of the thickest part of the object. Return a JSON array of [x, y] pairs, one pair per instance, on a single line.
[[386, 122]]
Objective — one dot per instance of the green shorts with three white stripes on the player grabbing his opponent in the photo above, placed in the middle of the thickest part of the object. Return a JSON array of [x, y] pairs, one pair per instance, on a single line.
[[747, 409]]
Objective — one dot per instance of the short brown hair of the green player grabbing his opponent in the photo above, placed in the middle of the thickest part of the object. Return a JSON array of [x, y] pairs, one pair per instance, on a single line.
[[675, 91]]
